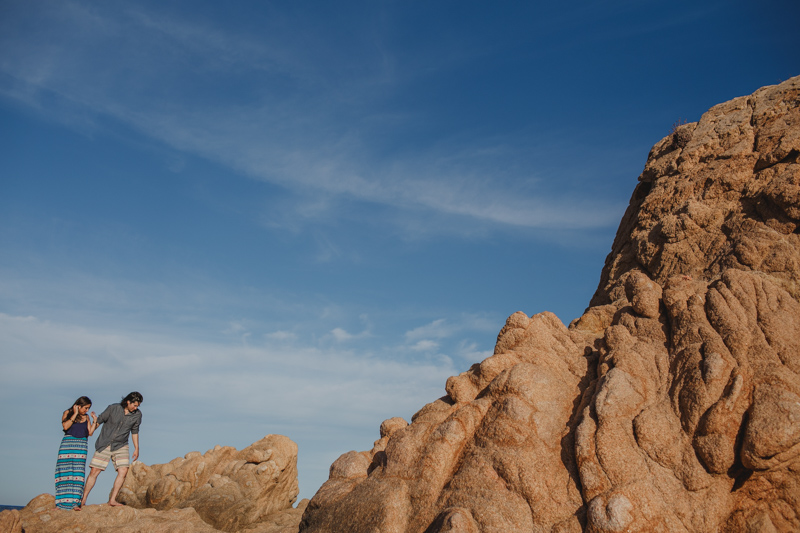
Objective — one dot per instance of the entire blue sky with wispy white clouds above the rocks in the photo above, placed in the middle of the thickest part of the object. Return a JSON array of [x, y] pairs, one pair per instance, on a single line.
[[301, 217]]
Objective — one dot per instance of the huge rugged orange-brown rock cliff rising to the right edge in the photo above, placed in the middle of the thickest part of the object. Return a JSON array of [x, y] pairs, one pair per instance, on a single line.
[[672, 404]]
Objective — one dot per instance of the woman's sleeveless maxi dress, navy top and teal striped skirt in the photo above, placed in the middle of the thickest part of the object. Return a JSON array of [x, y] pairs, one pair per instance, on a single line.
[[71, 466]]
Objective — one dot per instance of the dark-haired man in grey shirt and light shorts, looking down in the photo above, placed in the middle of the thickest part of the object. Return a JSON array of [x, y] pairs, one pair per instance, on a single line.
[[119, 420]]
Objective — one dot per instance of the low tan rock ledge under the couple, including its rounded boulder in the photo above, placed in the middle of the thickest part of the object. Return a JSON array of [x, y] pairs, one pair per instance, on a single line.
[[249, 491]]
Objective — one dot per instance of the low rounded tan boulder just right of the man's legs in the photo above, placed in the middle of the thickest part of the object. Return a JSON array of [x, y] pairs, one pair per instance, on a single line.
[[229, 489]]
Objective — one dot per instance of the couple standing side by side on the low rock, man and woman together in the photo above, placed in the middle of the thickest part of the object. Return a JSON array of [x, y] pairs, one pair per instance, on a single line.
[[119, 420]]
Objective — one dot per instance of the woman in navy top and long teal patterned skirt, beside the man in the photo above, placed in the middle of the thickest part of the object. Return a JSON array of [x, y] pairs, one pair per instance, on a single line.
[[71, 464]]
